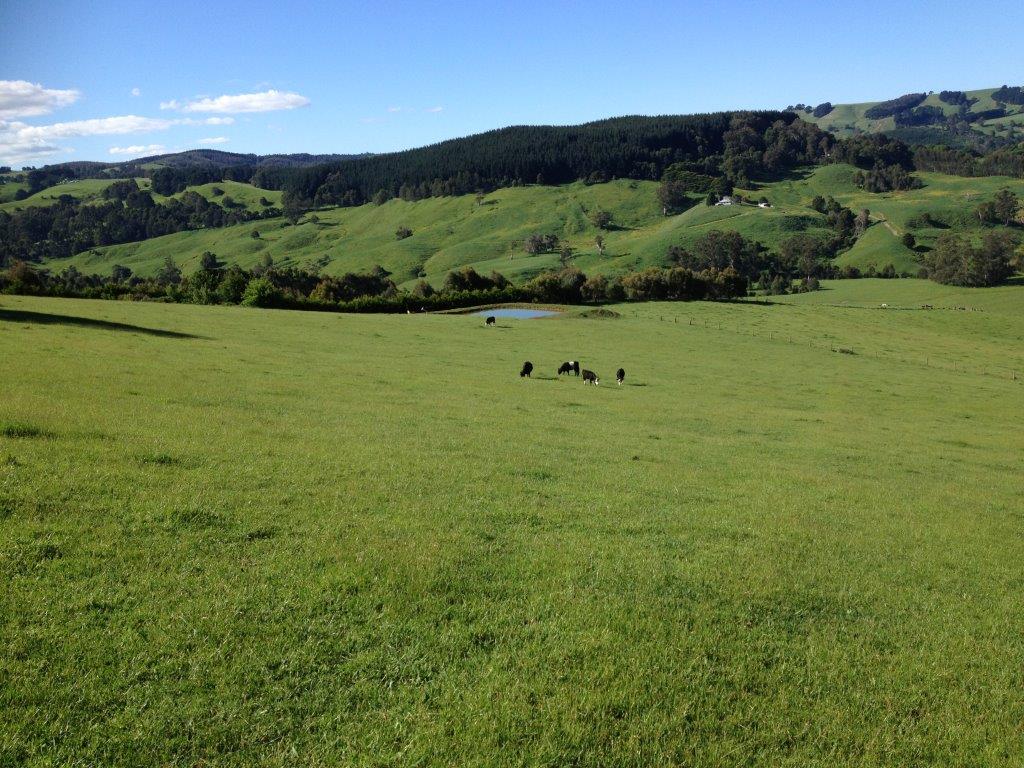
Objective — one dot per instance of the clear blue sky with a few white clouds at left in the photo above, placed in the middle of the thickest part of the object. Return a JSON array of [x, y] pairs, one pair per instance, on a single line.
[[109, 81]]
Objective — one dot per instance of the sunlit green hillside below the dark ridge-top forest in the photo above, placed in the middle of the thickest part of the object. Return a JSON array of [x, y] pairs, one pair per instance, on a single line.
[[449, 233]]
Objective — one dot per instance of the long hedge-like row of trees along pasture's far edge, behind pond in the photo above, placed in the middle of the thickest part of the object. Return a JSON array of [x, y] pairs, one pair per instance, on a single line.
[[268, 286]]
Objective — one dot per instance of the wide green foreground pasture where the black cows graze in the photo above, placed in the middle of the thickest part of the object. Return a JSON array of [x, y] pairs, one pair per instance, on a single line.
[[237, 537]]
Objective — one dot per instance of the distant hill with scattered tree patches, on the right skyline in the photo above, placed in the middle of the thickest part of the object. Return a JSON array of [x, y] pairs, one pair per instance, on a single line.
[[980, 119]]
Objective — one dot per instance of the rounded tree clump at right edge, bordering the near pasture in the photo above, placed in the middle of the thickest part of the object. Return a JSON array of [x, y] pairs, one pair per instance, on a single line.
[[956, 262]]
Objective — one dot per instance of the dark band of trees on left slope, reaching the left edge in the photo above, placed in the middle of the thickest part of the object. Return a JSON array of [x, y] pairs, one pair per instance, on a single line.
[[70, 227]]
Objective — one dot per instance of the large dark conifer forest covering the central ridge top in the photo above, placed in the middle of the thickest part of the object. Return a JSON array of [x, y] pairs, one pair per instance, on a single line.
[[742, 146]]
